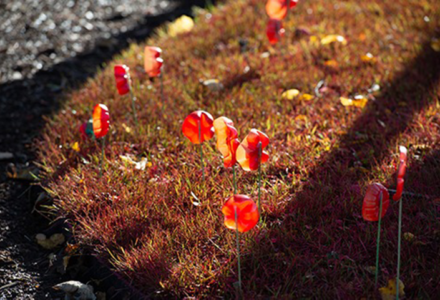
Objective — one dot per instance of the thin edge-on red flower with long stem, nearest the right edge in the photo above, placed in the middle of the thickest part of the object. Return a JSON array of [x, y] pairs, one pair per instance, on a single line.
[[398, 197]]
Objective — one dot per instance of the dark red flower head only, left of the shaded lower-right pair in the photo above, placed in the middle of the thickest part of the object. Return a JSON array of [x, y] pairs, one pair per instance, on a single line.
[[371, 205]]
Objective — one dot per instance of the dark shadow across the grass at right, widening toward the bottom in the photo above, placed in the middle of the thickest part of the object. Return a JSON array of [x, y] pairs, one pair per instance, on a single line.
[[332, 237]]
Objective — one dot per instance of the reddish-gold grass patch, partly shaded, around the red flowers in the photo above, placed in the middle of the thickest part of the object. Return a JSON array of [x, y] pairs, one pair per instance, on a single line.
[[163, 228]]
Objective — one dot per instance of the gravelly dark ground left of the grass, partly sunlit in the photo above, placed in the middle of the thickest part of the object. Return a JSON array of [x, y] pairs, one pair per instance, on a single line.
[[47, 48]]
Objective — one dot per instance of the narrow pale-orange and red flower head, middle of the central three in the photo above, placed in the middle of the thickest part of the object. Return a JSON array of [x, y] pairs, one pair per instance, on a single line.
[[227, 141]]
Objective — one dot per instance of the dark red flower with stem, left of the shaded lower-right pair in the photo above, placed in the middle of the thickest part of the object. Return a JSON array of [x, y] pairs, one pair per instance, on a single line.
[[374, 208]]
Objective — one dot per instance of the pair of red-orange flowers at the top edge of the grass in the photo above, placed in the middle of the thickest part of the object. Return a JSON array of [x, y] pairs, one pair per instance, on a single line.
[[277, 11]]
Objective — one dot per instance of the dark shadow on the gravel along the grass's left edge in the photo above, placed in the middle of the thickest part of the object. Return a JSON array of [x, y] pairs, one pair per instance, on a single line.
[[24, 105]]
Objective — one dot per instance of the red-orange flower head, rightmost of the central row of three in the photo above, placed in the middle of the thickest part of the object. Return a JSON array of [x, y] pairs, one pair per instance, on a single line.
[[247, 151]]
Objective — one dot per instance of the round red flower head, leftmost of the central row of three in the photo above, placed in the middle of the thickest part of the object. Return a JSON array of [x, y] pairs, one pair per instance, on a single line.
[[190, 126]]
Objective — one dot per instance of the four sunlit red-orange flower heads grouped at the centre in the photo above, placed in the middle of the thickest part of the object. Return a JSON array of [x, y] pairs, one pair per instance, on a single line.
[[199, 126]]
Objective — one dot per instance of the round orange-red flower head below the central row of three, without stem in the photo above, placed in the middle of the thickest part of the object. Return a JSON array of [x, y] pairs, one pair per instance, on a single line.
[[247, 213]]
